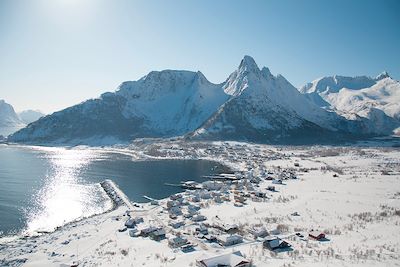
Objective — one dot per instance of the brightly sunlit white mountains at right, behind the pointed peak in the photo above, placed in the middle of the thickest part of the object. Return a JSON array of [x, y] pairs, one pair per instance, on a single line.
[[375, 99]]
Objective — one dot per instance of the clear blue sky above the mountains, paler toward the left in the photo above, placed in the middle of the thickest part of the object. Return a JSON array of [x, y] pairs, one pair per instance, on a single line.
[[56, 53]]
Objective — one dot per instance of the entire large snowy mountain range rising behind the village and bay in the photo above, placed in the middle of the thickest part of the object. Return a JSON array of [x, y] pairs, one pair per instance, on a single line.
[[252, 104]]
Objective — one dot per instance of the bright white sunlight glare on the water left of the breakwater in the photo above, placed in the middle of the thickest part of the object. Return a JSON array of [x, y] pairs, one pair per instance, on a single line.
[[65, 197]]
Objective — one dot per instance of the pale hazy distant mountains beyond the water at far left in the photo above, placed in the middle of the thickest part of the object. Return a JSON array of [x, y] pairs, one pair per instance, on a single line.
[[10, 121]]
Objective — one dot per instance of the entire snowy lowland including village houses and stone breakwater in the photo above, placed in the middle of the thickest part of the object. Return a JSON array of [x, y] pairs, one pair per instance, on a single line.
[[272, 207]]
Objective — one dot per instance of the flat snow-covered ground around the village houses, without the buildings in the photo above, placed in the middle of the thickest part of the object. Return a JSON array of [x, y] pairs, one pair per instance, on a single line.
[[352, 194]]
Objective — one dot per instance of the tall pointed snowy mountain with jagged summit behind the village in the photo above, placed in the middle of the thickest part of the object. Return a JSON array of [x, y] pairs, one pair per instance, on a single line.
[[268, 108]]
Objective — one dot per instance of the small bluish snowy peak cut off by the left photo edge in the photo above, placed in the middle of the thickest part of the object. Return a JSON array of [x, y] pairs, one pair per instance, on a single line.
[[9, 120]]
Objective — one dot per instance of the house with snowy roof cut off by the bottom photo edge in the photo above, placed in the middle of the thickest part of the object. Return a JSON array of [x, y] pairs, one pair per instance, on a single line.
[[234, 259]]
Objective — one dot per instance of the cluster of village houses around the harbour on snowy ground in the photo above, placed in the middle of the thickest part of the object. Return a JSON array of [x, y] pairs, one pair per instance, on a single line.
[[179, 221]]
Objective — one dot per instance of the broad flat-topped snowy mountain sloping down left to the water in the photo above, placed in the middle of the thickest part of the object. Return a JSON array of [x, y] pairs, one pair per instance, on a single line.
[[161, 104]]
